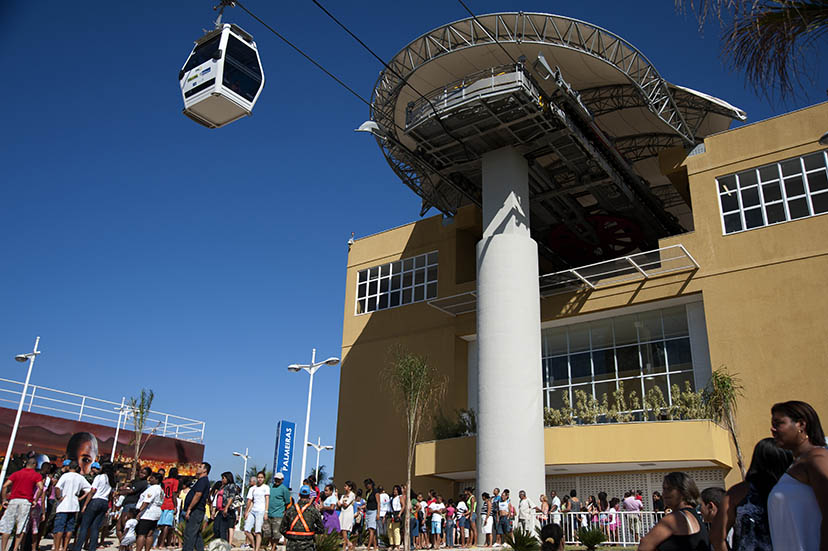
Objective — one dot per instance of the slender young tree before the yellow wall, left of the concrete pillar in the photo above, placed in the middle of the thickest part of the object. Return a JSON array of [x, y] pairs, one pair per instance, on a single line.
[[416, 387]]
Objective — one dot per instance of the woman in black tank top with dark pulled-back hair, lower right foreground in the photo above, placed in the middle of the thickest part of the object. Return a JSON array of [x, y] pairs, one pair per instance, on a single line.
[[683, 529]]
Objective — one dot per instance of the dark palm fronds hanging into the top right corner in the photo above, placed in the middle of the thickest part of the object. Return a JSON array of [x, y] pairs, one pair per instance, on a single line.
[[766, 38]]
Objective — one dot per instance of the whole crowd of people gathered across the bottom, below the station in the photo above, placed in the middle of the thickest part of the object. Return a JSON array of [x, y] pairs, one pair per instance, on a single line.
[[780, 505]]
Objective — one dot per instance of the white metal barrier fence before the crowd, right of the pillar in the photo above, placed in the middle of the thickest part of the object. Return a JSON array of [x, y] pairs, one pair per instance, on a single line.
[[620, 528]]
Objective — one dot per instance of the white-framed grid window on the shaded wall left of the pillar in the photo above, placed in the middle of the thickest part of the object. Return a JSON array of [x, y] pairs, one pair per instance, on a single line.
[[397, 283]]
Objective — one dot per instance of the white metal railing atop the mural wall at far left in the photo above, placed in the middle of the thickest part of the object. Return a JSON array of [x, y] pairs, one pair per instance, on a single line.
[[49, 401]]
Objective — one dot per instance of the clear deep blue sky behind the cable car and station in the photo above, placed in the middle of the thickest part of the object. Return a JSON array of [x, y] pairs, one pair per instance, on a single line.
[[148, 251]]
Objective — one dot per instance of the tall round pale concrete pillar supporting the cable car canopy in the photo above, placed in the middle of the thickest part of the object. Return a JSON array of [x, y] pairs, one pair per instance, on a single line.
[[510, 448]]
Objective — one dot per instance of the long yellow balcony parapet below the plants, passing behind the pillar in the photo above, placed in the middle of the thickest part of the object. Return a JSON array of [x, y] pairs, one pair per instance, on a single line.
[[613, 447]]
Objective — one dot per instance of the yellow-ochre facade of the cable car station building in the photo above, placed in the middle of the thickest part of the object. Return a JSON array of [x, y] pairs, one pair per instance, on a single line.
[[744, 290]]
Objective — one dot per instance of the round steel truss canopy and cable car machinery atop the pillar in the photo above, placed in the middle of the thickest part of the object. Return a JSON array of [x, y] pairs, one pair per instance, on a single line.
[[586, 195]]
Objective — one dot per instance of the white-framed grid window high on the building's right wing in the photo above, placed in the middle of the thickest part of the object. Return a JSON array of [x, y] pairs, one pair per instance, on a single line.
[[779, 192]]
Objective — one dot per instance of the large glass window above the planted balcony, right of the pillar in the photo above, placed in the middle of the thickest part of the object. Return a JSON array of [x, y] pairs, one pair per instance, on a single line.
[[642, 351]]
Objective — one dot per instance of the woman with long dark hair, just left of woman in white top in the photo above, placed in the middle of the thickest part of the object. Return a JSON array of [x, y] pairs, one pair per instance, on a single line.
[[744, 506]]
